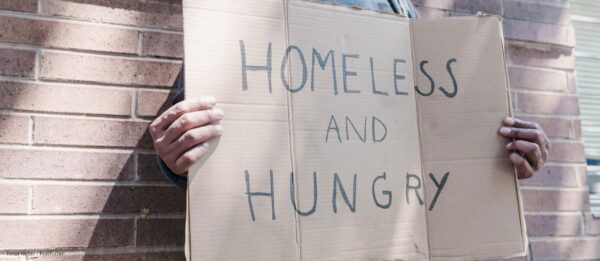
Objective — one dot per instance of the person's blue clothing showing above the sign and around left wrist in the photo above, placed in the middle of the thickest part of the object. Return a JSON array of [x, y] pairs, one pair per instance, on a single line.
[[404, 7]]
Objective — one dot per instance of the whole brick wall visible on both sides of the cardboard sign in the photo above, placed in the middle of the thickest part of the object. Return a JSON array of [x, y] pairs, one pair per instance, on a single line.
[[81, 79]]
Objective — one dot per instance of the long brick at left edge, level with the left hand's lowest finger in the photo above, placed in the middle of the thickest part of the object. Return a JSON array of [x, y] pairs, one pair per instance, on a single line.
[[60, 164]]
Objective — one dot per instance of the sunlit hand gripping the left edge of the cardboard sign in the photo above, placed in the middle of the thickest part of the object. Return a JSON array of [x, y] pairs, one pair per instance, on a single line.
[[181, 132]]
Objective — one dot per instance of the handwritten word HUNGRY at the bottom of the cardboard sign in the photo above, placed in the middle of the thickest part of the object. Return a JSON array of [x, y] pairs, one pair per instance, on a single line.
[[413, 185]]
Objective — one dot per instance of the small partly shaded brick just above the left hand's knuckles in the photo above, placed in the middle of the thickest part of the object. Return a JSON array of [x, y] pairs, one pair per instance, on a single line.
[[152, 103]]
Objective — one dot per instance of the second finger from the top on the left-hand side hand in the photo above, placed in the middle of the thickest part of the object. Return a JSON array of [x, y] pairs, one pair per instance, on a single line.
[[190, 121]]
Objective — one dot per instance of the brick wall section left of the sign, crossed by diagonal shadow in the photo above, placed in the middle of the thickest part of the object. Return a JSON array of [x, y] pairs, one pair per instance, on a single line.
[[80, 81]]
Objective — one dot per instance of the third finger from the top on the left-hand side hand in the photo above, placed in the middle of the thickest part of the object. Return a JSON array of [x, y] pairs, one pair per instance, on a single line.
[[195, 137]]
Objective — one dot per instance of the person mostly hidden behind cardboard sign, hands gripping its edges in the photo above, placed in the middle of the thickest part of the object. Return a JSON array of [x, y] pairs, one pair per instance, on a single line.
[[181, 133]]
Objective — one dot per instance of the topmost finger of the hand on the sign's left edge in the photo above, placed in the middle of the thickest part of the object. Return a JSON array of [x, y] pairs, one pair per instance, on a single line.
[[161, 123]]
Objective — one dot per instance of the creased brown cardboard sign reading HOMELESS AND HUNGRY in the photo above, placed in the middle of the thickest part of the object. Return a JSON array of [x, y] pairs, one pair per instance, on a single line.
[[349, 135]]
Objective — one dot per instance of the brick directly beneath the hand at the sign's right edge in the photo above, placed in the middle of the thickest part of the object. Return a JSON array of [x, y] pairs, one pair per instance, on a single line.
[[554, 176]]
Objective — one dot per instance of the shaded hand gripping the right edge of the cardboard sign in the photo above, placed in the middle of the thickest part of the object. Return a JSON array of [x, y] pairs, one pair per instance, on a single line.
[[529, 146]]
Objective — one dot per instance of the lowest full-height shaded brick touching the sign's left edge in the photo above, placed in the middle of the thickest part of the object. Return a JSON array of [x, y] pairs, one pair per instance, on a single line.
[[160, 232]]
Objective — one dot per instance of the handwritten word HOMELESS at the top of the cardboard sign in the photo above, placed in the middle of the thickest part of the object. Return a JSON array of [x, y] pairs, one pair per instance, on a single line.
[[330, 59]]
